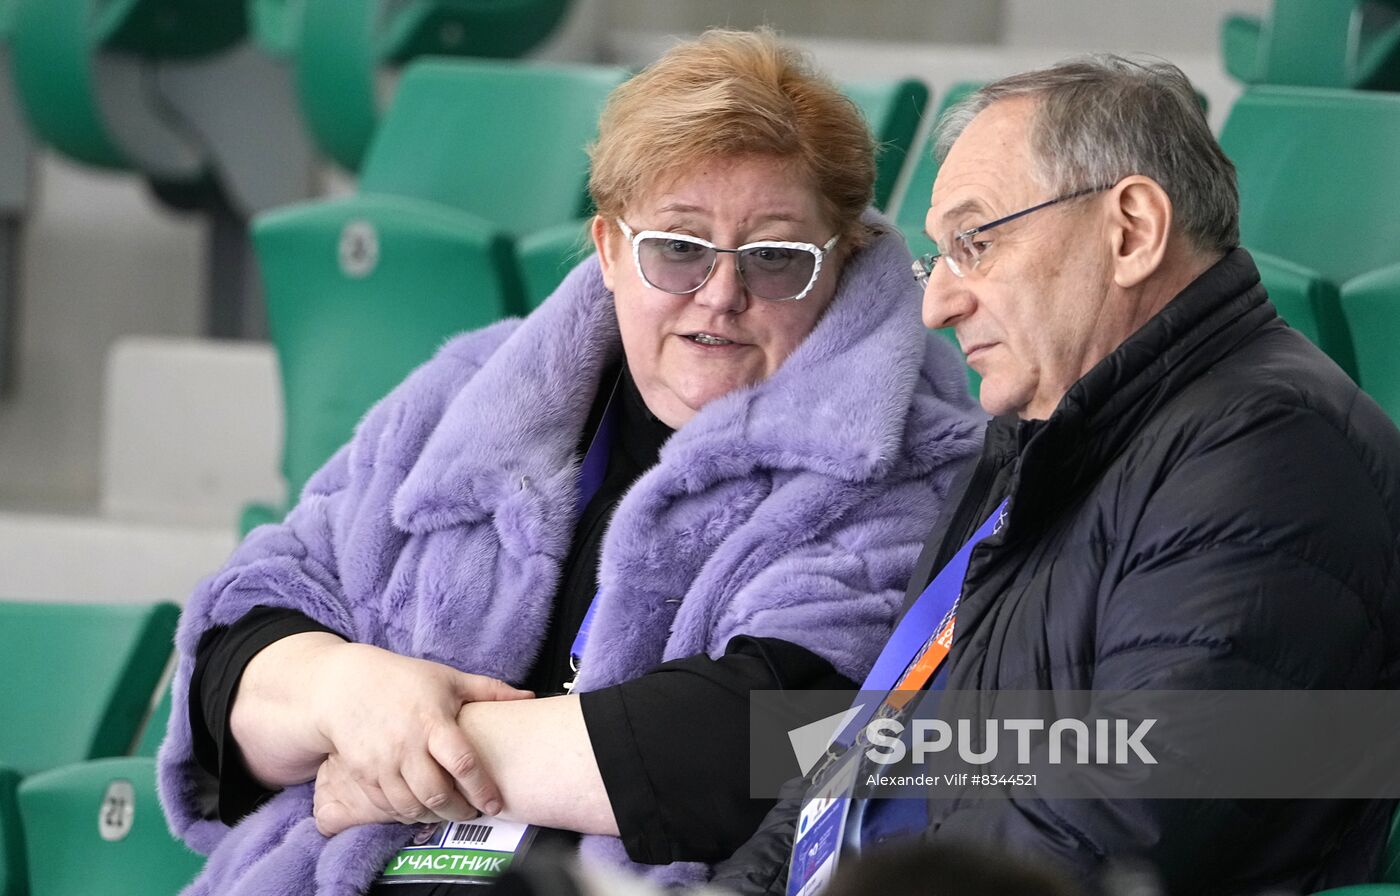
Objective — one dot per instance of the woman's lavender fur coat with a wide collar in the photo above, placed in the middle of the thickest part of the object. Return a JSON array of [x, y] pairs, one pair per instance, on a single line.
[[793, 509]]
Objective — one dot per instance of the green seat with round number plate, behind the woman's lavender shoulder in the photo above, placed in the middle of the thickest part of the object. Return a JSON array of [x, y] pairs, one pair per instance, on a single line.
[[360, 290]]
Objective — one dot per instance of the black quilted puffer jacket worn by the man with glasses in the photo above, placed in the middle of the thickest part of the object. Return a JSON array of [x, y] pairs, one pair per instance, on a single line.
[[1214, 506]]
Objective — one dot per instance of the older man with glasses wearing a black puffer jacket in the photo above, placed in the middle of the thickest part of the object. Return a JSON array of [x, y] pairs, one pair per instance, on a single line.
[[1196, 496]]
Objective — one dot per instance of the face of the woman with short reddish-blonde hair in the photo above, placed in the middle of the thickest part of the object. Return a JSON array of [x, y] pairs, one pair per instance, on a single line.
[[688, 351]]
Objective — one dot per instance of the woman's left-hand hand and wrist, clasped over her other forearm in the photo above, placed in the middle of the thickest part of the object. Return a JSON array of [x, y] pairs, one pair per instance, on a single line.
[[390, 720]]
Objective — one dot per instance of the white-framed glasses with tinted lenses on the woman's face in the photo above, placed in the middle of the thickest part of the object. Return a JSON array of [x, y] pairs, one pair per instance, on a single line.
[[681, 264]]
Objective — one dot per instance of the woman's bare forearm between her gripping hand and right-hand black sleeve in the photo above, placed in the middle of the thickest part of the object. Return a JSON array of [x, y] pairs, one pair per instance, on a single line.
[[540, 757]]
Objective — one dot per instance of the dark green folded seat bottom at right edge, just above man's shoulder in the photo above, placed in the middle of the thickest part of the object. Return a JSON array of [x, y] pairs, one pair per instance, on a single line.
[[1371, 306]]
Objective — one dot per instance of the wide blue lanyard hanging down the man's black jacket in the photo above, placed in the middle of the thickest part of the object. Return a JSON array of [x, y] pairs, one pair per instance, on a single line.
[[926, 618]]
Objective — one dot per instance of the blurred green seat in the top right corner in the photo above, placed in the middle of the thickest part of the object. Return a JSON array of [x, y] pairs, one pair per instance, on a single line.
[[1350, 44]]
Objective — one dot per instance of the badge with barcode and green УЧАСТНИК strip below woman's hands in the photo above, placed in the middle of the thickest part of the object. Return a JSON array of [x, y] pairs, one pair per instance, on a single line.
[[475, 852]]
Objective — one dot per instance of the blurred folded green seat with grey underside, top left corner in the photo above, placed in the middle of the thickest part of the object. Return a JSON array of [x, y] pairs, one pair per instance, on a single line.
[[170, 90]]
